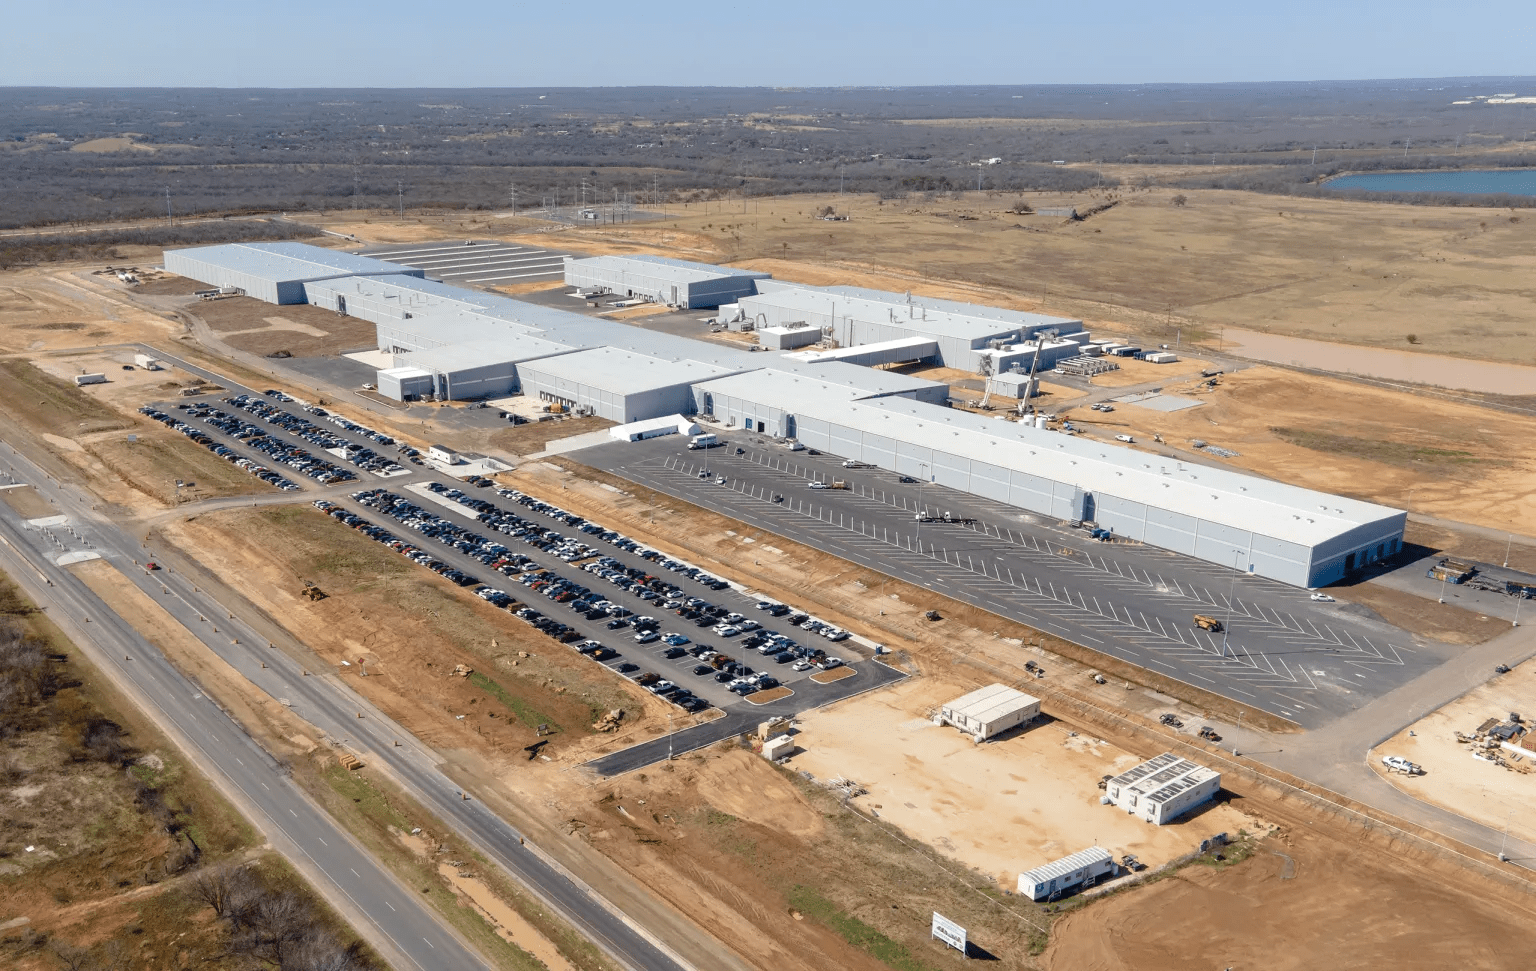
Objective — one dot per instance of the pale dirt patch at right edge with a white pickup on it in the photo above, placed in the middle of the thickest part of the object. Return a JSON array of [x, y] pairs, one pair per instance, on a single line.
[[1494, 795]]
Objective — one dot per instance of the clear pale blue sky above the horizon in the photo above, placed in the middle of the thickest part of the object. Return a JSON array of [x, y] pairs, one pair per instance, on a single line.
[[388, 44]]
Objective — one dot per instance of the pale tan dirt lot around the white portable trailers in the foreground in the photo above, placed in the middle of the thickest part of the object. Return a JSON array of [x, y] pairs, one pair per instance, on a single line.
[[1011, 804]]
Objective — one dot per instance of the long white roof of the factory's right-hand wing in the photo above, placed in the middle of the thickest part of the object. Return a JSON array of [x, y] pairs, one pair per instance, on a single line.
[[1202, 492]]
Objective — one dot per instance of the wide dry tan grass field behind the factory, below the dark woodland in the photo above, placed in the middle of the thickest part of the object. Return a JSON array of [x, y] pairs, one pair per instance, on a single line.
[[1458, 280]]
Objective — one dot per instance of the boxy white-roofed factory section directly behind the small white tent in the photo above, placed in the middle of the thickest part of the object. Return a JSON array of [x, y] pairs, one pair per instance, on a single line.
[[617, 385]]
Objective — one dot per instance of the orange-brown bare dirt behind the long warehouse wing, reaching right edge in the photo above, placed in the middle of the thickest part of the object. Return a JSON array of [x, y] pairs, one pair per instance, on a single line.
[[1428, 456]]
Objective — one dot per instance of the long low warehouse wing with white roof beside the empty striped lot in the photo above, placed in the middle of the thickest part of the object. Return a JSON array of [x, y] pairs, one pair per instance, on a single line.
[[1283, 532]]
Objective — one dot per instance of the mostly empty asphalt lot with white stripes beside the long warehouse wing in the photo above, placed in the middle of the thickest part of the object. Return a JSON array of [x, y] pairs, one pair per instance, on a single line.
[[1283, 654]]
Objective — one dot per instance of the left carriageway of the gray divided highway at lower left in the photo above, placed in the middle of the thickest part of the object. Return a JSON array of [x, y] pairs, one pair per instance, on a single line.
[[388, 915]]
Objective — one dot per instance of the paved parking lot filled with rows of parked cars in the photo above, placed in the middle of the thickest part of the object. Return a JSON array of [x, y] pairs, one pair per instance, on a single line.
[[323, 446]]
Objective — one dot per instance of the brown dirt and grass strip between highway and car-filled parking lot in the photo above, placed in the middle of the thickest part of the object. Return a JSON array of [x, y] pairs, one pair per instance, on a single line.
[[409, 629]]
